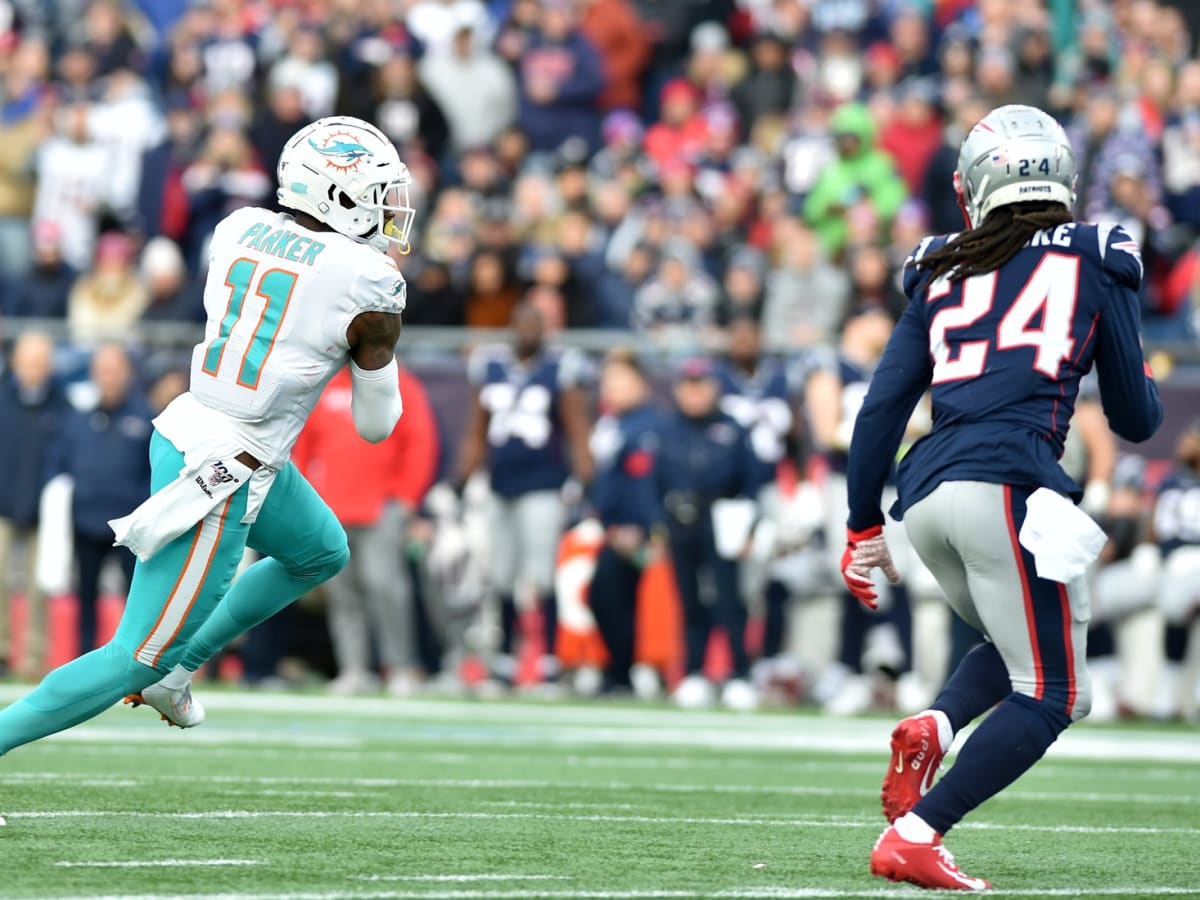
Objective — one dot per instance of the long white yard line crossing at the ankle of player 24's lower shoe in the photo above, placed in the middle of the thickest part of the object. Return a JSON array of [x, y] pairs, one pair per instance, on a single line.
[[776, 823]]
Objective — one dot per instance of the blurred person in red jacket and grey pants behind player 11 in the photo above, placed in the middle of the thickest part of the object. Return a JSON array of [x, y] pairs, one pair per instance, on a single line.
[[375, 491]]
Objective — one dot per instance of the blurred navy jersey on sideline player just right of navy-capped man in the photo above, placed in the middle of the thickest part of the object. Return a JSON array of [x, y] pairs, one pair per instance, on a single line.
[[763, 405]]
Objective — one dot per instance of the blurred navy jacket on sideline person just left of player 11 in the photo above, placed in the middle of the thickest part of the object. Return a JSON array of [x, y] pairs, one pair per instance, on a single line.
[[107, 452]]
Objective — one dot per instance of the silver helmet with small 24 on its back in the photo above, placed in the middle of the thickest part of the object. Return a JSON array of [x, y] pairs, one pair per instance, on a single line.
[[1013, 155]]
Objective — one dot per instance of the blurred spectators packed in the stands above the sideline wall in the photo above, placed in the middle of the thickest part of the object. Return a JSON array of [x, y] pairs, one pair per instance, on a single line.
[[626, 164]]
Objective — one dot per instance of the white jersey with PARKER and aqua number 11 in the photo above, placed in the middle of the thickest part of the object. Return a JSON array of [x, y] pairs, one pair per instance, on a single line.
[[280, 299]]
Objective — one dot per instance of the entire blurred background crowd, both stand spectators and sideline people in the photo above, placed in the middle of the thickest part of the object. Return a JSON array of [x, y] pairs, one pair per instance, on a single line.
[[737, 182]]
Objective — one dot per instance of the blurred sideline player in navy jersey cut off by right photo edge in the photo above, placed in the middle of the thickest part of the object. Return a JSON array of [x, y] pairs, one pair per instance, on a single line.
[[1177, 531]]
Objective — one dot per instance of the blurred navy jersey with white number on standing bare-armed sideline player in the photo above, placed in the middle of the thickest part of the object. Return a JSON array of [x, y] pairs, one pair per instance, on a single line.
[[525, 435]]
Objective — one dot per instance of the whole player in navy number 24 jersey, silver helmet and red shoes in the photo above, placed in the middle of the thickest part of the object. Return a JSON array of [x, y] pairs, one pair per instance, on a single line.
[[1004, 320]]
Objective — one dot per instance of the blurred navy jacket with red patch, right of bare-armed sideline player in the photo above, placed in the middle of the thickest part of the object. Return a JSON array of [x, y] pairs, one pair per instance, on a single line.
[[625, 449]]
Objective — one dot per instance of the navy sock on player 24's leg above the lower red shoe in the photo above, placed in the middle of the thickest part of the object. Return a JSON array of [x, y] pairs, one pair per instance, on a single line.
[[1003, 749]]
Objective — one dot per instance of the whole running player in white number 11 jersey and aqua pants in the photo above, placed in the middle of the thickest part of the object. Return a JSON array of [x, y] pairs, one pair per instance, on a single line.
[[291, 301]]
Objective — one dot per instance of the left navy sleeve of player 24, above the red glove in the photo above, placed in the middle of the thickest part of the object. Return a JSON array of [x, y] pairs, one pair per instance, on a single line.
[[898, 385]]
